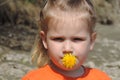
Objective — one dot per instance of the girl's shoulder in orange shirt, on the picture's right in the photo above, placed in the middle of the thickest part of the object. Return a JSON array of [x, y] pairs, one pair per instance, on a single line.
[[97, 73]]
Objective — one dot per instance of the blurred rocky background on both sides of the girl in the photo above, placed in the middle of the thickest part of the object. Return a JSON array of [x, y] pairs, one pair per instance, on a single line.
[[18, 29]]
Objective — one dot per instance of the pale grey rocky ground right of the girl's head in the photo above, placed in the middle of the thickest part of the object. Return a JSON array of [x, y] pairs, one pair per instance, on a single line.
[[106, 55]]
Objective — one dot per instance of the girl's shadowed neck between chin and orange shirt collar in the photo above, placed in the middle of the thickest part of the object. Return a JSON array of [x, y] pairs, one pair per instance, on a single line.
[[72, 73]]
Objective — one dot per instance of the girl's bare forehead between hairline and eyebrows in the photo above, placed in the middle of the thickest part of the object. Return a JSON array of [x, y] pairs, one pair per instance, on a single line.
[[68, 21]]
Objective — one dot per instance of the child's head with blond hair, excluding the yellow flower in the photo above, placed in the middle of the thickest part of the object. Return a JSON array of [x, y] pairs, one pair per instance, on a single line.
[[66, 26]]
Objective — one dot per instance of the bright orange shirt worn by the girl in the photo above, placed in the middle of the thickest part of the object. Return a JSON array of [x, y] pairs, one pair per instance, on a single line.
[[46, 73]]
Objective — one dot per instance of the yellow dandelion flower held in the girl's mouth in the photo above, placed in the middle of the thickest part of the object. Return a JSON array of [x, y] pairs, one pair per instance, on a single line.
[[69, 60]]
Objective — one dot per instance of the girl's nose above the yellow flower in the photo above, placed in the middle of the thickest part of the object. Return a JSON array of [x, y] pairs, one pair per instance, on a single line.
[[67, 47]]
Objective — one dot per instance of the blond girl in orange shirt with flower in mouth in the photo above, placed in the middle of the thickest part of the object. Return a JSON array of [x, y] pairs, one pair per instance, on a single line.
[[66, 37]]
